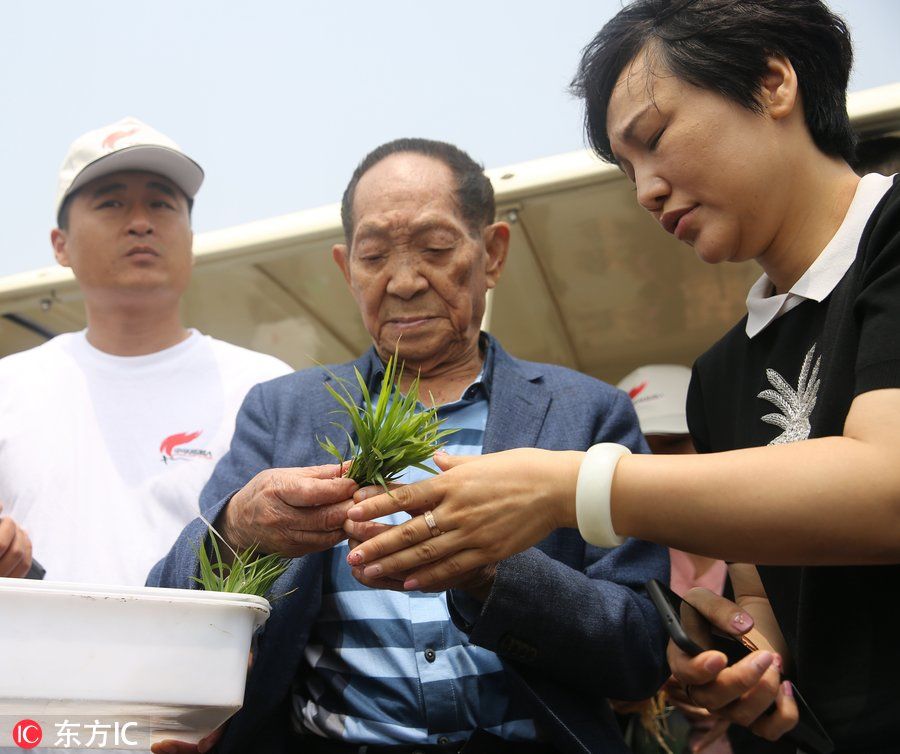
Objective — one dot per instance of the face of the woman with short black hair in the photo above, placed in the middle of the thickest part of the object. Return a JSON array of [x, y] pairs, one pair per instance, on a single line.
[[712, 172]]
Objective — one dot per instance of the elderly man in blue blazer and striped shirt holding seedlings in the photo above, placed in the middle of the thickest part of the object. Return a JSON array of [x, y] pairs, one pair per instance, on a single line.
[[518, 657]]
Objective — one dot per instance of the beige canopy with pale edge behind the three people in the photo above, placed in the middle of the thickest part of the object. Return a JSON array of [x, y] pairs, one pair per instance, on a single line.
[[592, 282]]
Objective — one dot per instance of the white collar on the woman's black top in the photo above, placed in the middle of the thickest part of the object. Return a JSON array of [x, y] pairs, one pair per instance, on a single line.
[[826, 272]]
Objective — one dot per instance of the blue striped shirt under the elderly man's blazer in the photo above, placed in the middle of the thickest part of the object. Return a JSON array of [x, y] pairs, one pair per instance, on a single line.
[[385, 667]]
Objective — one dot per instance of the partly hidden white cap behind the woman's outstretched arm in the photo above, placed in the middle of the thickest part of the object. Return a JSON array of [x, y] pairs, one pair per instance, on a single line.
[[659, 395]]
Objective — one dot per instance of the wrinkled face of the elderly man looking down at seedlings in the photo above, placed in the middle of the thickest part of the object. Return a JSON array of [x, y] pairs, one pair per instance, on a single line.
[[418, 274]]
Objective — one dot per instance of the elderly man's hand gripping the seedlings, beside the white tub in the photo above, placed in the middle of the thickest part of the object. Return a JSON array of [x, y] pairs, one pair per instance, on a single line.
[[289, 511]]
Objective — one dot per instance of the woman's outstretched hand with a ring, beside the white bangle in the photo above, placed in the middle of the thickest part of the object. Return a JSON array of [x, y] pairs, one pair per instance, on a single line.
[[485, 508]]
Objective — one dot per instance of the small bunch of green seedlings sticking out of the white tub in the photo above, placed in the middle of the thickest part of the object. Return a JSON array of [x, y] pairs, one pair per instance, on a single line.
[[246, 573]]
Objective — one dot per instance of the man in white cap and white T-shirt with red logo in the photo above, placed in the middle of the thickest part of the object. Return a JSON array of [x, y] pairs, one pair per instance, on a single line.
[[108, 435]]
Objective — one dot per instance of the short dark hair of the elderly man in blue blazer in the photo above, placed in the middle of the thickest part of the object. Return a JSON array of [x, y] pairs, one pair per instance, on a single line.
[[474, 192]]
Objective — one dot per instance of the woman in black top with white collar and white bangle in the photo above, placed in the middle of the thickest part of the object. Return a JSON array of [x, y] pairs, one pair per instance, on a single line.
[[729, 117]]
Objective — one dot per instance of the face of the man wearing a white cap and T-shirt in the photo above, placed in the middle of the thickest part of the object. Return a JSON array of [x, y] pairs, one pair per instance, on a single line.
[[129, 233]]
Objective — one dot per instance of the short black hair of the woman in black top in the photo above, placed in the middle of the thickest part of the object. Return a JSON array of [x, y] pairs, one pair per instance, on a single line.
[[723, 46]]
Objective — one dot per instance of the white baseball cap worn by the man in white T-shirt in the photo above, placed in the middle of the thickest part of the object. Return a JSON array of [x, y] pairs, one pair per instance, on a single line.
[[127, 144]]
